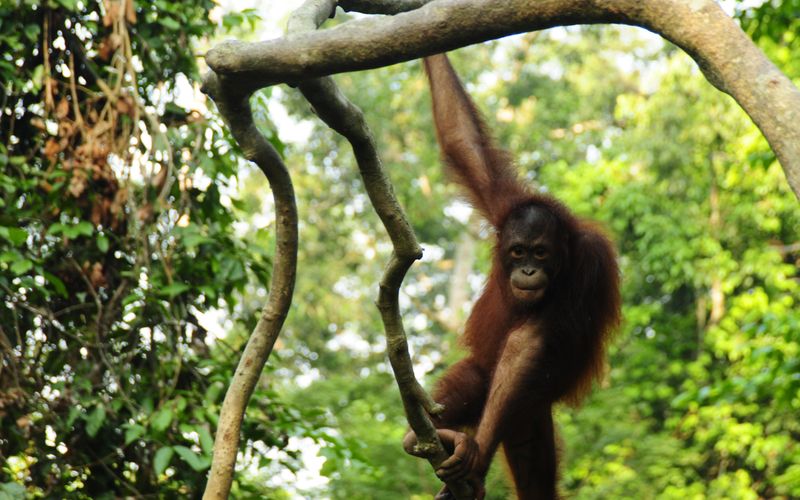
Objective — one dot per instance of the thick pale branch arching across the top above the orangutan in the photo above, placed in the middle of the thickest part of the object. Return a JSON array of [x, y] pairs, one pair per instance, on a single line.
[[728, 58]]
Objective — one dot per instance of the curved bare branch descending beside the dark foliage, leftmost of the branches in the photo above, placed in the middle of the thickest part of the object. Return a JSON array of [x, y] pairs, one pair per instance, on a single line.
[[234, 106]]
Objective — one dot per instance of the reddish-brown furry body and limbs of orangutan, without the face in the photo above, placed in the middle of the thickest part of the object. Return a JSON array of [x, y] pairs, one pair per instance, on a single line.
[[559, 344]]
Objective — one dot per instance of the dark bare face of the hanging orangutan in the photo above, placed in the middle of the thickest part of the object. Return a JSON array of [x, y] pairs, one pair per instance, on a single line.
[[530, 253]]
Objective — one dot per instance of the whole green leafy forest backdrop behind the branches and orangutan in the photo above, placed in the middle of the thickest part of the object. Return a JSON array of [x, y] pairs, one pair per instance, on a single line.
[[135, 248]]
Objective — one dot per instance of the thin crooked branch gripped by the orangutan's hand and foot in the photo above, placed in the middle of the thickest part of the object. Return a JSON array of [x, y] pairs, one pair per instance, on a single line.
[[344, 117]]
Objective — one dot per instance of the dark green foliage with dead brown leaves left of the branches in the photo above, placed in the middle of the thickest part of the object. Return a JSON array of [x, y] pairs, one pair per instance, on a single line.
[[117, 238]]
